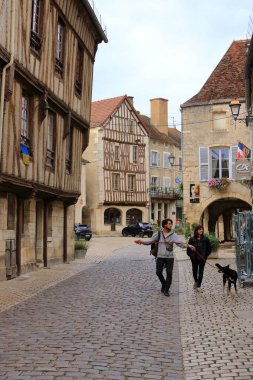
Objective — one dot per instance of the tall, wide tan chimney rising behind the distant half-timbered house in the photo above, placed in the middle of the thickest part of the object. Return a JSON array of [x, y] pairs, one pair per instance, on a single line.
[[159, 114]]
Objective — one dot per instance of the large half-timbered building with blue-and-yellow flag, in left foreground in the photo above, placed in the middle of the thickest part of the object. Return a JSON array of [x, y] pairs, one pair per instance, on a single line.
[[47, 52]]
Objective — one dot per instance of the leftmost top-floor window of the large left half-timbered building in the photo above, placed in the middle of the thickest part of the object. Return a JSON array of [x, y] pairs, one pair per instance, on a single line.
[[35, 40]]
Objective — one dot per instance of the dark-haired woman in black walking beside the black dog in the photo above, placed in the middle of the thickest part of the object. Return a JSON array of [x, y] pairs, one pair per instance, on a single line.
[[199, 255]]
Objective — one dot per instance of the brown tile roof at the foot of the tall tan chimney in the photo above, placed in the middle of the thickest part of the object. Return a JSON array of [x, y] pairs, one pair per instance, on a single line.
[[173, 137]]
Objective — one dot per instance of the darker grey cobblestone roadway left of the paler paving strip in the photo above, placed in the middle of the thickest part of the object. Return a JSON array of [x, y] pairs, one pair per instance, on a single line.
[[109, 321]]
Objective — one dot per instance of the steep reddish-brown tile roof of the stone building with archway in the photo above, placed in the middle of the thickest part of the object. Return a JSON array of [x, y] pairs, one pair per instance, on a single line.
[[227, 79]]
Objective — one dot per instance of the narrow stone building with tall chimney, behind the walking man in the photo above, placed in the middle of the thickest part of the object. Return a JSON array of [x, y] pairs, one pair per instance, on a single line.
[[164, 178]]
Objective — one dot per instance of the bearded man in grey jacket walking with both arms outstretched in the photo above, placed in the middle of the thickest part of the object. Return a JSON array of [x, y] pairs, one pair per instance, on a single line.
[[165, 256]]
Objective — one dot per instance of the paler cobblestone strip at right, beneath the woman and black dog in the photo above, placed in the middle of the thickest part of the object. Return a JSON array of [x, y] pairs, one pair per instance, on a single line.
[[216, 330]]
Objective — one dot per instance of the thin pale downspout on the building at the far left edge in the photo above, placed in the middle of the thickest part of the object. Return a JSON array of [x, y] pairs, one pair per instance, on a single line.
[[9, 64]]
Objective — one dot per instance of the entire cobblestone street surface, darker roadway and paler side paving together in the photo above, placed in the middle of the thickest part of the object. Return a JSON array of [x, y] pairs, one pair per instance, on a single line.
[[104, 317]]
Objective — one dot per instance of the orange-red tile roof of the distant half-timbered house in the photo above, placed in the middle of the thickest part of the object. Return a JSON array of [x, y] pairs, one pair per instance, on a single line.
[[101, 110]]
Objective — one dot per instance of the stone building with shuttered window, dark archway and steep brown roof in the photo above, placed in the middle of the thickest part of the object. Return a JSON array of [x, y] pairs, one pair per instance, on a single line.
[[210, 140]]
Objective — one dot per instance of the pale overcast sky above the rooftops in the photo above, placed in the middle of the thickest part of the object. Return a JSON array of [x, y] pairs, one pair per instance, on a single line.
[[165, 48]]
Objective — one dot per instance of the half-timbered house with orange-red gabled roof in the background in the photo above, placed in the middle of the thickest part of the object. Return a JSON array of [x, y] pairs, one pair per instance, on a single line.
[[117, 172]]
